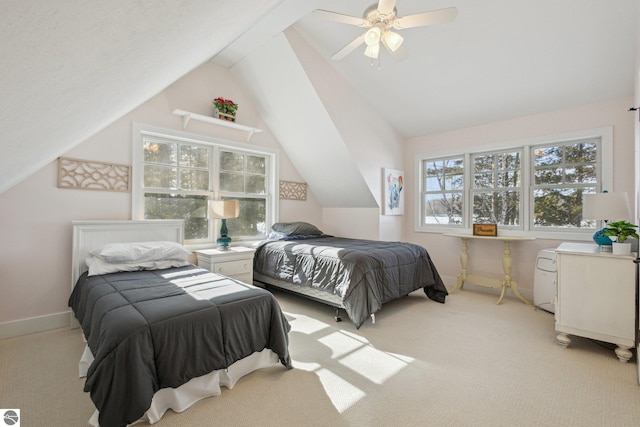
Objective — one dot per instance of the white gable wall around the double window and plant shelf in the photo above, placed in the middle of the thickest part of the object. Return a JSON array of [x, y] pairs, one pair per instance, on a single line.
[[35, 215]]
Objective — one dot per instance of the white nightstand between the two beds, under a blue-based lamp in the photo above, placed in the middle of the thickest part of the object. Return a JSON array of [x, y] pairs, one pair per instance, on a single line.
[[235, 262]]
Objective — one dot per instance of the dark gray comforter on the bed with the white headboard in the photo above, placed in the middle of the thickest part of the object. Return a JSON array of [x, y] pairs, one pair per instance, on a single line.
[[154, 329]]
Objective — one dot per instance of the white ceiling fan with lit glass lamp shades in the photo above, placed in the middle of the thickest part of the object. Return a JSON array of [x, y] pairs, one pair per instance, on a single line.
[[379, 20]]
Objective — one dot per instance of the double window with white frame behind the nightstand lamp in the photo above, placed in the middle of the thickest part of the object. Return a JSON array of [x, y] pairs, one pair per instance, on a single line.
[[174, 177]]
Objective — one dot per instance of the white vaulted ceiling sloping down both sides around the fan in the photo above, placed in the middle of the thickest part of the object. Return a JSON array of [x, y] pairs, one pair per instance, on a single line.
[[71, 68]]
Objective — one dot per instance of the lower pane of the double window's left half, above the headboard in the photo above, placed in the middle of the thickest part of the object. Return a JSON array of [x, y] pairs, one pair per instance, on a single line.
[[193, 209]]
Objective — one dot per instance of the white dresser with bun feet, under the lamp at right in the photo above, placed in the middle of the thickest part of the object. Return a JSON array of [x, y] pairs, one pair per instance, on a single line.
[[596, 296]]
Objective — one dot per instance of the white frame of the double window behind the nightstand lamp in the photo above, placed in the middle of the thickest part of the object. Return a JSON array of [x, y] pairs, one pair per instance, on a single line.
[[140, 131]]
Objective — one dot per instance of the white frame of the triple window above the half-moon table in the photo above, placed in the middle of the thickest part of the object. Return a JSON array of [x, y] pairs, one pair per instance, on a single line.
[[605, 173]]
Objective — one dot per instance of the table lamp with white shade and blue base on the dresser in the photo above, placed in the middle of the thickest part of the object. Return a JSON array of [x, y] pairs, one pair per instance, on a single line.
[[606, 207]]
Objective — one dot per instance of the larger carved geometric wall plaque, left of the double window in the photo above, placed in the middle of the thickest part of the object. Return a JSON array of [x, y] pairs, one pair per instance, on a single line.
[[90, 175]]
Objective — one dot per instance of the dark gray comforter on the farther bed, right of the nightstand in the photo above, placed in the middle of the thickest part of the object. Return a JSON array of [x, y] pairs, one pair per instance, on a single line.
[[364, 273]]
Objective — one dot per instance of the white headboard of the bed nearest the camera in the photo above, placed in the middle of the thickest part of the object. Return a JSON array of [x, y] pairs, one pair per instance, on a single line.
[[88, 235]]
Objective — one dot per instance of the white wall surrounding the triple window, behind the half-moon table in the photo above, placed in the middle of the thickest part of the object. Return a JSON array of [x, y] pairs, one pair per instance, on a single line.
[[486, 256]]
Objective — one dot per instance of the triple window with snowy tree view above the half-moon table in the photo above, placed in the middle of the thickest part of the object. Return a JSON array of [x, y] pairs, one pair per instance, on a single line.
[[533, 187]]
